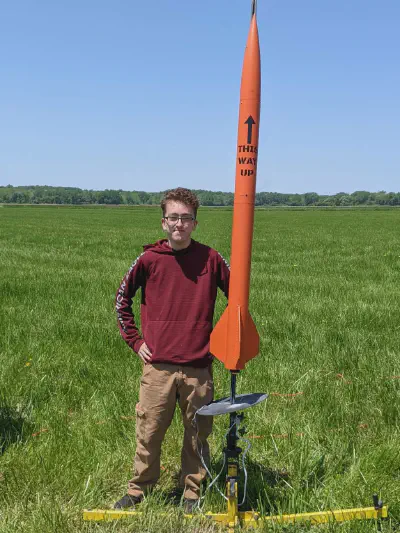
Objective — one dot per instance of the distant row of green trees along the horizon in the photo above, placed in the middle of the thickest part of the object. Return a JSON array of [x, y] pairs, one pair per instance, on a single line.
[[42, 194]]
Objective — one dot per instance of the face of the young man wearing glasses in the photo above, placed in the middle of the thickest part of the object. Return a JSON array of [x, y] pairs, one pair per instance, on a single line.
[[178, 230]]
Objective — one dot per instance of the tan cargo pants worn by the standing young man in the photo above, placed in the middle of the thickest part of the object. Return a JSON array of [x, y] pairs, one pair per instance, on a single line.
[[161, 386]]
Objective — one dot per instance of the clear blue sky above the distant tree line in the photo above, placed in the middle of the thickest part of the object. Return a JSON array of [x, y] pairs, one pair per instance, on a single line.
[[144, 94]]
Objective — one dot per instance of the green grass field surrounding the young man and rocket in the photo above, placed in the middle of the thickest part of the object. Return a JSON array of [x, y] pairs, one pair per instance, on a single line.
[[326, 300]]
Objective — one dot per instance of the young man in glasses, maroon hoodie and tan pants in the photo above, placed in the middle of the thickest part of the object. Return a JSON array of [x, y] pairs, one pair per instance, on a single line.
[[178, 278]]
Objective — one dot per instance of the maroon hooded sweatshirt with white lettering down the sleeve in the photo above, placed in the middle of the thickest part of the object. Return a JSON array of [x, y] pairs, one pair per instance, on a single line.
[[179, 288]]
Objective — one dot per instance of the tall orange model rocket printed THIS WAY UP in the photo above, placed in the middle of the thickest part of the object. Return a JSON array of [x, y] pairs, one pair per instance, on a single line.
[[235, 340]]
